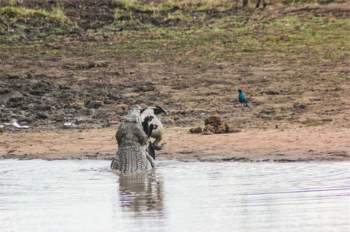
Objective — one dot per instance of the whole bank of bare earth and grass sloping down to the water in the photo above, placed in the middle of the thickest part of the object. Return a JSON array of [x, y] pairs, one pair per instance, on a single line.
[[293, 63]]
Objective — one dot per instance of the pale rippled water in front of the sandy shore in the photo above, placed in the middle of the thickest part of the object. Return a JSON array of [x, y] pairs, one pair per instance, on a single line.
[[86, 196]]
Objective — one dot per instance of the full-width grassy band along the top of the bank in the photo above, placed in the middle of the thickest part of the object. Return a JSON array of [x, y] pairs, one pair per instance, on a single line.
[[215, 29]]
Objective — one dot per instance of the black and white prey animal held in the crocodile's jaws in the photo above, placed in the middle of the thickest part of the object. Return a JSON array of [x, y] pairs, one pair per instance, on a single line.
[[158, 131]]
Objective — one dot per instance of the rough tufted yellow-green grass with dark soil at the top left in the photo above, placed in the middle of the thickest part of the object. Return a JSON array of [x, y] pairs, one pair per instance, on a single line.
[[22, 21]]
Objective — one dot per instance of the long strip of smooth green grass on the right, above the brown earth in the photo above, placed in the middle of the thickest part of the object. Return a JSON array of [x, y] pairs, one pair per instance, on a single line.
[[231, 37]]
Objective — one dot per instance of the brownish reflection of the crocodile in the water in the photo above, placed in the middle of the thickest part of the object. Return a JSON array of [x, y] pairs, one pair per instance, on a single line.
[[141, 193]]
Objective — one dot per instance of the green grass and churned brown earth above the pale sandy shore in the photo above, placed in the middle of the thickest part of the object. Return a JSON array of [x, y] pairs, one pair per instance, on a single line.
[[295, 73]]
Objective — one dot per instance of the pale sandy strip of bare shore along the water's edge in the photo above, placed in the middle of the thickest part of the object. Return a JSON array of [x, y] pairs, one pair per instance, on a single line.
[[294, 144]]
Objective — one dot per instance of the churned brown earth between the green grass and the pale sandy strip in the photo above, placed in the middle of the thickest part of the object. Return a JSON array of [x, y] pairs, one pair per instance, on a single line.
[[96, 91]]
